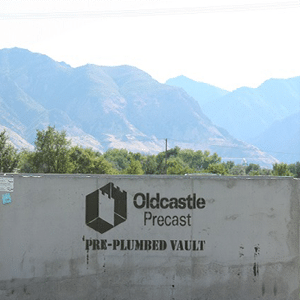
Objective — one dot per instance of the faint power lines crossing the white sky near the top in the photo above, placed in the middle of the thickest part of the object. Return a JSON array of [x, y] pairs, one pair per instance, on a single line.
[[150, 12]]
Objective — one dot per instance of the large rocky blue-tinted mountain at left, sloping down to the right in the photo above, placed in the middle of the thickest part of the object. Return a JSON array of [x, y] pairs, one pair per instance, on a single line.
[[103, 107]]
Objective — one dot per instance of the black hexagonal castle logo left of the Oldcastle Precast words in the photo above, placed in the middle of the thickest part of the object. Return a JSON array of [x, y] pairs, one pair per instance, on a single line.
[[96, 204]]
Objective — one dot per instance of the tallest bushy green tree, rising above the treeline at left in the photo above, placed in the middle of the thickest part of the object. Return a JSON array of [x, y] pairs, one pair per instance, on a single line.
[[52, 151]]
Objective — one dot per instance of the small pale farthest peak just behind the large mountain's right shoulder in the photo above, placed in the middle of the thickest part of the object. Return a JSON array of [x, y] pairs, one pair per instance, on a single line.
[[202, 92]]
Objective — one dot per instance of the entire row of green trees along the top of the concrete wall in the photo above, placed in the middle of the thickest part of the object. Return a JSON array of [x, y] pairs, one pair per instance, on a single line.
[[53, 153]]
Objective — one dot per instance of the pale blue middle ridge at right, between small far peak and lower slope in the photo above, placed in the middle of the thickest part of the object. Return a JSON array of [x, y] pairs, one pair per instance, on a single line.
[[248, 112]]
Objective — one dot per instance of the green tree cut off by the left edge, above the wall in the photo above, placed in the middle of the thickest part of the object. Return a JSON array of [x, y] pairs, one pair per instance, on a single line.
[[9, 157]]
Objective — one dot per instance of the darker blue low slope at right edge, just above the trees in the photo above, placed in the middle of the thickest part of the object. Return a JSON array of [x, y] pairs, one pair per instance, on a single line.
[[282, 139]]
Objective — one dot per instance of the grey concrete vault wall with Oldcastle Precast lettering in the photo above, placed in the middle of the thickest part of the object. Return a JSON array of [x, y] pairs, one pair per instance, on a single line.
[[115, 237]]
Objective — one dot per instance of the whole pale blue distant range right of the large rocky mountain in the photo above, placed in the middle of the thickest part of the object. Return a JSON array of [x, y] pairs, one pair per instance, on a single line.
[[254, 115]]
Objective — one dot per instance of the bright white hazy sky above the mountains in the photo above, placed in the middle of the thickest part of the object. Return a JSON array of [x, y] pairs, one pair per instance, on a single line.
[[225, 43]]
